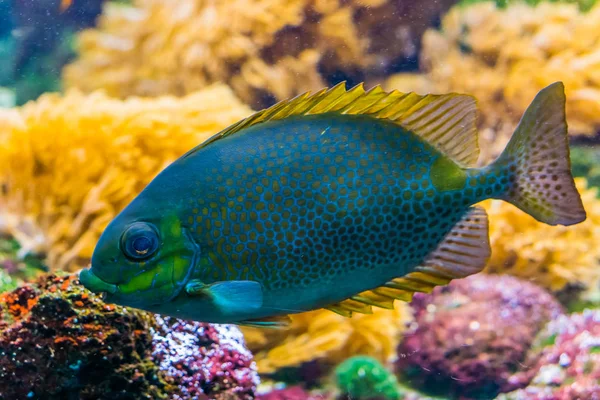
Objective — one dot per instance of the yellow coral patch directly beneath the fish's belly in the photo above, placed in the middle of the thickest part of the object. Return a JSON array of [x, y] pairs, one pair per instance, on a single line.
[[323, 334]]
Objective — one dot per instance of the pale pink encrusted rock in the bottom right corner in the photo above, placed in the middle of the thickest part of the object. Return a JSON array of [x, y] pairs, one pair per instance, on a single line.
[[569, 368]]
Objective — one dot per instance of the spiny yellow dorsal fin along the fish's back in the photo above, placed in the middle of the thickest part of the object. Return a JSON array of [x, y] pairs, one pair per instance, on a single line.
[[447, 121]]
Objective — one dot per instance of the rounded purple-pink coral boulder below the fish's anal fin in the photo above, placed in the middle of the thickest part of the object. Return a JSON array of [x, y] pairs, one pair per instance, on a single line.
[[473, 335]]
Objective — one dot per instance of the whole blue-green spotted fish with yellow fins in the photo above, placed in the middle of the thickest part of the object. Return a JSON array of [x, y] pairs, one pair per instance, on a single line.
[[342, 199]]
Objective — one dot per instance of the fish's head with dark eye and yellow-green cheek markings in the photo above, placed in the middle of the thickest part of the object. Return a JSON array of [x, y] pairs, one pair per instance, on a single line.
[[141, 262]]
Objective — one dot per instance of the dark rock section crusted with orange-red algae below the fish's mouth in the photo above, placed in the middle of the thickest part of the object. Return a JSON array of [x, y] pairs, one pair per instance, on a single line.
[[54, 349]]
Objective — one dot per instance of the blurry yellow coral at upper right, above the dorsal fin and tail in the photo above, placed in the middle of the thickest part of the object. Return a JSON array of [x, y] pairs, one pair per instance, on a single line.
[[504, 56]]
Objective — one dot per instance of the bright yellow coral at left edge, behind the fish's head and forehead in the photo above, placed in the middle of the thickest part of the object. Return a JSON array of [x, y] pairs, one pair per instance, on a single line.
[[69, 164]]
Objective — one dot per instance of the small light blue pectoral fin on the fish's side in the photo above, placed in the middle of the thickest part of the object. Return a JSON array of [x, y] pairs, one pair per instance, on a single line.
[[230, 296]]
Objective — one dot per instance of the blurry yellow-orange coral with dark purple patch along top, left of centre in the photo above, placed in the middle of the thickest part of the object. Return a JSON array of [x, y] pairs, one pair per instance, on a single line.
[[262, 48]]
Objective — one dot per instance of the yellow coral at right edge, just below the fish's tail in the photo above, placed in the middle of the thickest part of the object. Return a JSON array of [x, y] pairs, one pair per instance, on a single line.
[[526, 248]]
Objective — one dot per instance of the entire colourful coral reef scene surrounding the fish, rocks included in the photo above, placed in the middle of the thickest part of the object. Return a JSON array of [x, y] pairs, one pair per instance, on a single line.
[[97, 97]]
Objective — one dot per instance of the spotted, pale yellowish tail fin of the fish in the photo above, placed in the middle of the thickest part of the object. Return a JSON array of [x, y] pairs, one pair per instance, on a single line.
[[537, 162]]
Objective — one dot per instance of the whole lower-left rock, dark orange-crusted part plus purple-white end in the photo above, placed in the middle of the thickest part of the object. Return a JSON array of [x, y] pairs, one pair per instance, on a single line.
[[59, 341]]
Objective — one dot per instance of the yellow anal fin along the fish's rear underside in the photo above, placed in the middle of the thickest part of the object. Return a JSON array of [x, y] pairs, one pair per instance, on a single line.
[[463, 252]]
